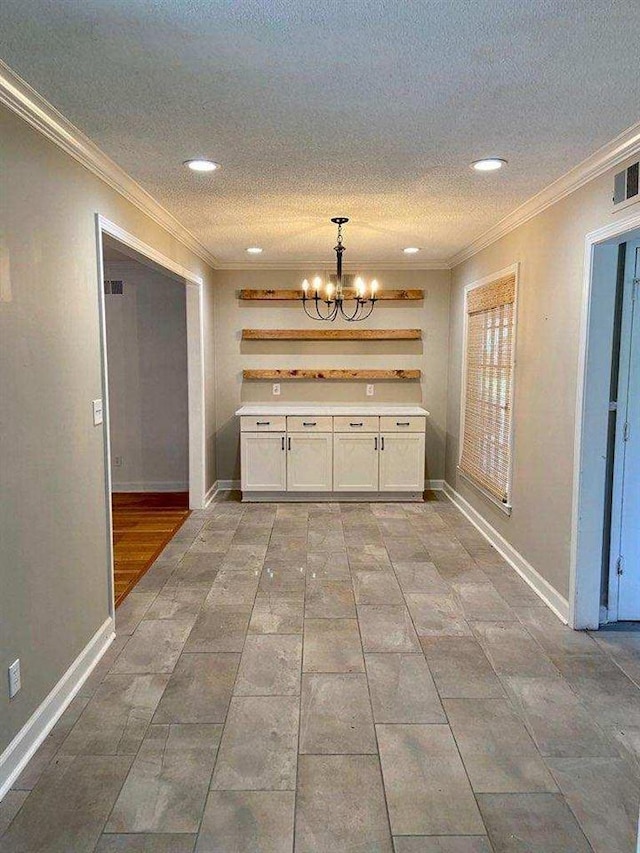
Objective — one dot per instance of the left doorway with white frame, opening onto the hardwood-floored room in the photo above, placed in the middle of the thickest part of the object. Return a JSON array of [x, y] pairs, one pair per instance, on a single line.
[[153, 400]]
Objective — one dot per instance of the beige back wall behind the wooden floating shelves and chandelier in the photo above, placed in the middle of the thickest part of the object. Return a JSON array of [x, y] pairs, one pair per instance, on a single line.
[[233, 355]]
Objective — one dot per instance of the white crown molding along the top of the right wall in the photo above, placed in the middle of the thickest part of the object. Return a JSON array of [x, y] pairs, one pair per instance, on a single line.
[[621, 148]]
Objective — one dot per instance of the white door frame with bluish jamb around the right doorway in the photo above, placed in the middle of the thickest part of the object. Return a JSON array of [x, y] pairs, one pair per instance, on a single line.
[[591, 421]]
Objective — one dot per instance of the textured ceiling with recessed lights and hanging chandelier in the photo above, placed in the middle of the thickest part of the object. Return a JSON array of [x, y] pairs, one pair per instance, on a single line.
[[372, 110]]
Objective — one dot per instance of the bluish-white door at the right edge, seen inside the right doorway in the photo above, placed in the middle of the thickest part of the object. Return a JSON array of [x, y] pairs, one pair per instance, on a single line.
[[624, 587]]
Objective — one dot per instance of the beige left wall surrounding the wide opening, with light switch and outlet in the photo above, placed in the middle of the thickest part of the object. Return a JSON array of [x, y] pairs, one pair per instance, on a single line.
[[53, 544]]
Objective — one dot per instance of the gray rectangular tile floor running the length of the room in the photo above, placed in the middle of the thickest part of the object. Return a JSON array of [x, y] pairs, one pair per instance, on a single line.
[[354, 677]]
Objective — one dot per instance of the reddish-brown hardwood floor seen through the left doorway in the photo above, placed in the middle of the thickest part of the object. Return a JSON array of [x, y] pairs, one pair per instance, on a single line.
[[143, 523]]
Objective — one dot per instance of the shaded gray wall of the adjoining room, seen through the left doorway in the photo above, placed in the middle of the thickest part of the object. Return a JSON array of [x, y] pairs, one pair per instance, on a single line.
[[148, 402]]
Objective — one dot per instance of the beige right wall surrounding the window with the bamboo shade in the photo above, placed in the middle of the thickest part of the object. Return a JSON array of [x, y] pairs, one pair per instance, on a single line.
[[550, 250]]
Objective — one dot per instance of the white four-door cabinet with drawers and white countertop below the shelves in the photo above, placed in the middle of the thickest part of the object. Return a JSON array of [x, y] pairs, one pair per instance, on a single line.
[[336, 454]]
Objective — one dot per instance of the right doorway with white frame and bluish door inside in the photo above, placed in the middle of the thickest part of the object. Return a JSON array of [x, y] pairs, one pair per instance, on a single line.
[[605, 558]]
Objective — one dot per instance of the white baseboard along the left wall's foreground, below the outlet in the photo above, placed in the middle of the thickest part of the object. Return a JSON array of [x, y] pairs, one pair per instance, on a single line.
[[16, 756]]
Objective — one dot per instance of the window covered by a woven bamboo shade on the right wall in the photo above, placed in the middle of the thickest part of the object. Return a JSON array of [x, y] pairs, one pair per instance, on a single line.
[[488, 384]]
